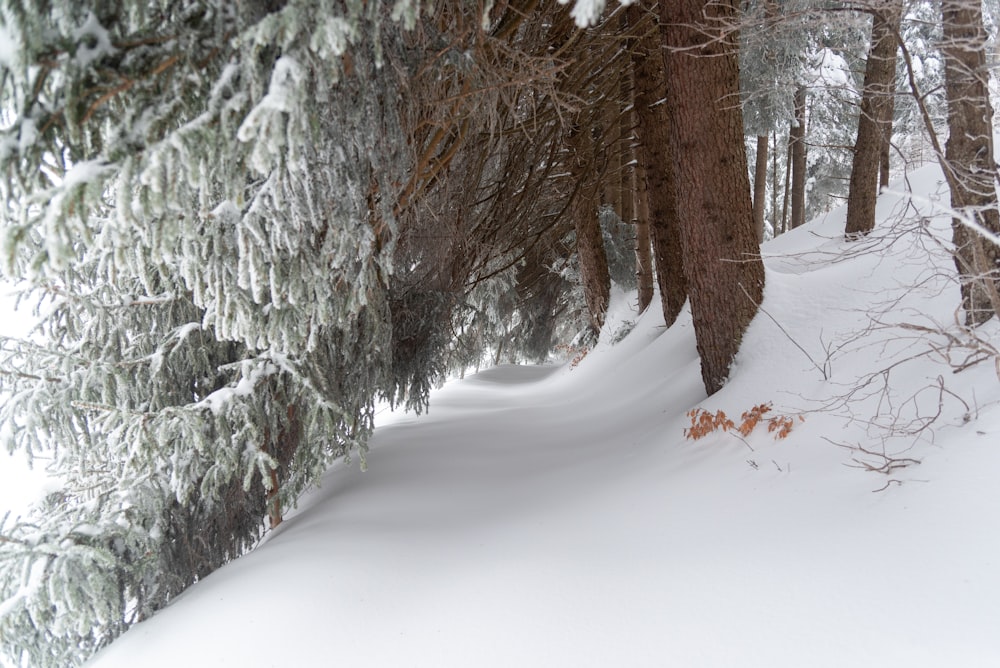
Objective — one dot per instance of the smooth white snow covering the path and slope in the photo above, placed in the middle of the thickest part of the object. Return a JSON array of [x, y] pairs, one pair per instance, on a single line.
[[557, 516]]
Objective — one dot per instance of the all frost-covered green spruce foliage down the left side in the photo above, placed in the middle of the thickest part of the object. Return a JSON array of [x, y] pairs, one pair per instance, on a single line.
[[194, 187]]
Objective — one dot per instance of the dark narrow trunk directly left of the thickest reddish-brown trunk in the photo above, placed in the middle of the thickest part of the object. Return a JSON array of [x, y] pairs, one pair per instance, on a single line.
[[654, 153]]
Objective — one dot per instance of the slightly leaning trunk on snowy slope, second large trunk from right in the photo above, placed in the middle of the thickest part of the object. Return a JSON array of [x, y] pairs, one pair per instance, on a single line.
[[875, 121]]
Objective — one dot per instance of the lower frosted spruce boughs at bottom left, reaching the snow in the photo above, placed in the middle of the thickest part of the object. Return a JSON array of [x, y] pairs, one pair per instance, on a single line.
[[169, 439]]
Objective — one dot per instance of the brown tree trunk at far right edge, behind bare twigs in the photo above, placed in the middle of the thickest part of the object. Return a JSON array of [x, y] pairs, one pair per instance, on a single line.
[[969, 164]]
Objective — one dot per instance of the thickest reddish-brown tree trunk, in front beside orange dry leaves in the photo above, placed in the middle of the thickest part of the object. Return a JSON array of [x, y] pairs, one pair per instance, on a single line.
[[724, 270]]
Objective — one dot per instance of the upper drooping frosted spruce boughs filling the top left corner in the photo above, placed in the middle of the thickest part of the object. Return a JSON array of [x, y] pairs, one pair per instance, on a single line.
[[194, 120]]
